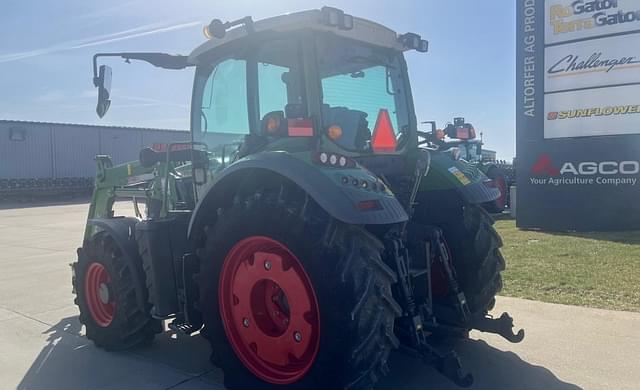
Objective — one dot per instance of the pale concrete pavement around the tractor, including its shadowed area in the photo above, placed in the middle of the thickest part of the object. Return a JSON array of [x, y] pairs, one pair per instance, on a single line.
[[42, 344]]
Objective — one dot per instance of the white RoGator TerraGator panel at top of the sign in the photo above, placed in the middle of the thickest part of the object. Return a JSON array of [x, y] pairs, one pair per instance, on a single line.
[[590, 14]]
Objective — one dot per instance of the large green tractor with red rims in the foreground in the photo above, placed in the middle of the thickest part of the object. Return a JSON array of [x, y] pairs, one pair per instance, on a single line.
[[308, 228]]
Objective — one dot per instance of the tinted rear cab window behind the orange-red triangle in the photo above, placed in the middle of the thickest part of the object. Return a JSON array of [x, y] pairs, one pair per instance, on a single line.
[[359, 82]]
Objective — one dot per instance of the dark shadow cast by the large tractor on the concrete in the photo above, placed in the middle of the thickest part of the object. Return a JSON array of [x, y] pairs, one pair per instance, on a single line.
[[69, 361]]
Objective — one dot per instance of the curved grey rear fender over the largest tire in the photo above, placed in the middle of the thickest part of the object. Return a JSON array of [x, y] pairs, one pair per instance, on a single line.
[[338, 199]]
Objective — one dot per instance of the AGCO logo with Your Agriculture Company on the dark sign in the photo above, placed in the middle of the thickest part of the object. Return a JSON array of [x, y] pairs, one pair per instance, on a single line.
[[614, 173]]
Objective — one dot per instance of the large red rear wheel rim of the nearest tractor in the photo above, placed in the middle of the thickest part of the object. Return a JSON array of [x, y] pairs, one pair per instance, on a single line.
[[269, 310]]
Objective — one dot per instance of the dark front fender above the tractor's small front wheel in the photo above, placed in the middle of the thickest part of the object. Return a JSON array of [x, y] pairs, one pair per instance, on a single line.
[[122, 230]]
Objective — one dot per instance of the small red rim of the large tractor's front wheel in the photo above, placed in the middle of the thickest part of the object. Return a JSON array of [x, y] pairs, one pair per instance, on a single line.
[[99, 294]]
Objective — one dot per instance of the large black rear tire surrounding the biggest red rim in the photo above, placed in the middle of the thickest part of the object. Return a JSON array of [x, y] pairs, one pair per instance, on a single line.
[[346, 272]]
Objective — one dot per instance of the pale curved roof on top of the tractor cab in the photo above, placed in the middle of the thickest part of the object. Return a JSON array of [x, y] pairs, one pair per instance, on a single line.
[[363, 30]]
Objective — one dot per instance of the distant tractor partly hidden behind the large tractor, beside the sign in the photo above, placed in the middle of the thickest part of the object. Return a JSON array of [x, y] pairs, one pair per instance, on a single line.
[[459, 138]]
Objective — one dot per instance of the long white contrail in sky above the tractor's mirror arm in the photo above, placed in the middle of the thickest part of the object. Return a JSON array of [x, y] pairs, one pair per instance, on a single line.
[[137, 32]]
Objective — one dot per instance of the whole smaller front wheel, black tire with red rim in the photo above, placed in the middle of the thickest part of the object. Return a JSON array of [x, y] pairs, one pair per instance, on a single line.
[[108, 286]]
